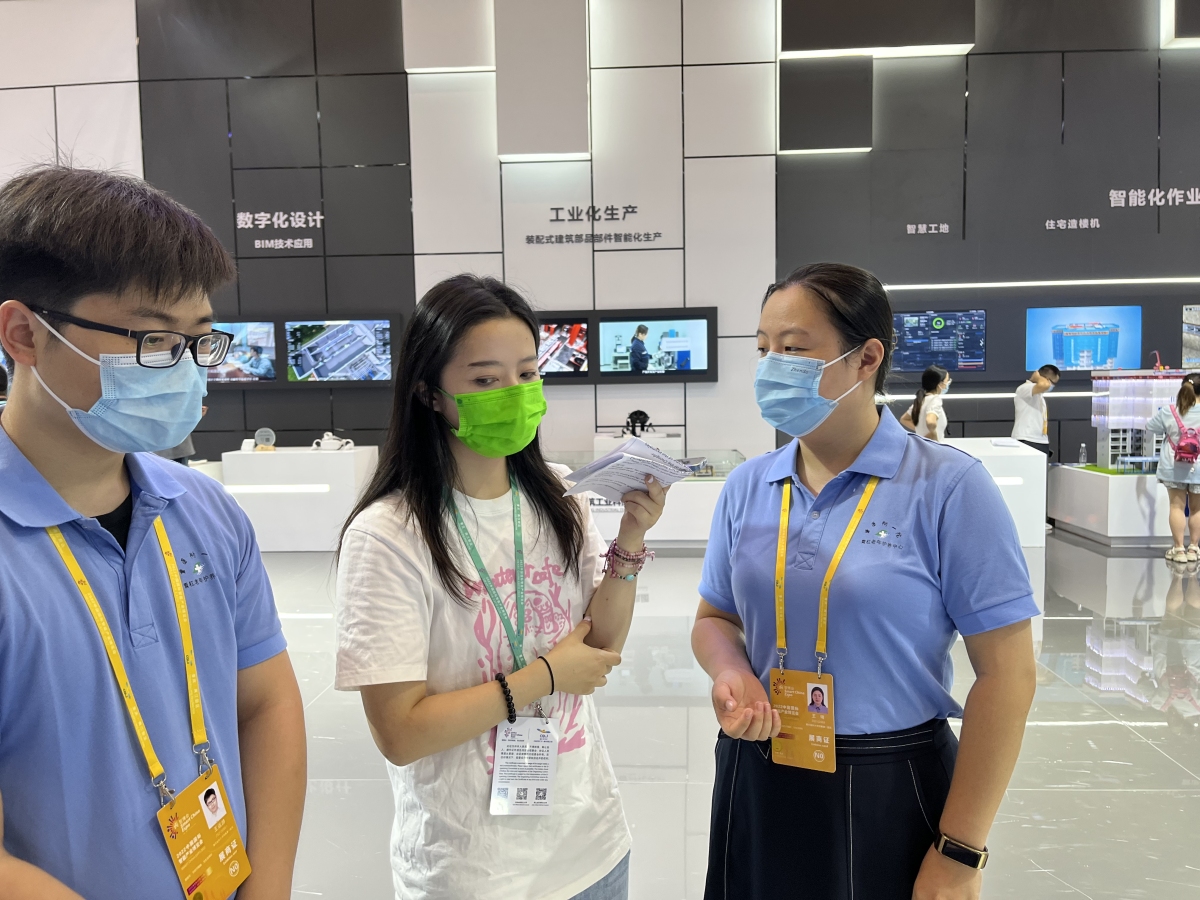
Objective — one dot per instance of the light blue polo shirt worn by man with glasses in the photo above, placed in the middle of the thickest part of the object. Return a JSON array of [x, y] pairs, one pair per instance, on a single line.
[[77, 795]]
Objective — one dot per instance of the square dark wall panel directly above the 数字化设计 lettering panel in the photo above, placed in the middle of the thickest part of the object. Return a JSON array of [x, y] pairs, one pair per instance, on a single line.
[[274, 123]]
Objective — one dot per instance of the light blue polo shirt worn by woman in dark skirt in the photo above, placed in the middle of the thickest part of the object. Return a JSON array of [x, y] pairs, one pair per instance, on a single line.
[[937, 554]]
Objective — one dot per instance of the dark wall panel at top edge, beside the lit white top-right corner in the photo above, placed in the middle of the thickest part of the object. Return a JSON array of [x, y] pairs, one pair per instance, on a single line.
[[1024, 26]]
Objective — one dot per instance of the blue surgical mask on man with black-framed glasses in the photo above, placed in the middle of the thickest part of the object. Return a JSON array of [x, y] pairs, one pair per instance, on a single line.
[[140, 410]]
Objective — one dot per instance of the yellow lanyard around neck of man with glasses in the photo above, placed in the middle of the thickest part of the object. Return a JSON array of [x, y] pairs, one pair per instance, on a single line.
[[200, 736]]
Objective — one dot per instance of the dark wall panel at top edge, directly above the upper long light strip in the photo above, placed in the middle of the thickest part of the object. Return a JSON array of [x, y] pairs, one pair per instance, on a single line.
[[819, 25]]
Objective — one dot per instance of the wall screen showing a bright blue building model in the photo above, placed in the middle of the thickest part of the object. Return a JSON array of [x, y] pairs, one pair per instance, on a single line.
[[1084, 338]]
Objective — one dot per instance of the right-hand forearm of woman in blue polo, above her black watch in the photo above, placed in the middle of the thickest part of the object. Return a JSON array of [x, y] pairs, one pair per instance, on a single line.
[[993, 729]]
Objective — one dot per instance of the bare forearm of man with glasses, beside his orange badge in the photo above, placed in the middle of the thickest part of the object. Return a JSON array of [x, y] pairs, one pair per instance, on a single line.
[[274, 769]]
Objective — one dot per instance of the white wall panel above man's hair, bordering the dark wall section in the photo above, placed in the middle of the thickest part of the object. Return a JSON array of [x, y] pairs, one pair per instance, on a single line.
[[100, 127]]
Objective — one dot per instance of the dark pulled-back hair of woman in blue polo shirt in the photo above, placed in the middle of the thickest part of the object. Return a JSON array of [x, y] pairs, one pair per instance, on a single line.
[[856, 303]]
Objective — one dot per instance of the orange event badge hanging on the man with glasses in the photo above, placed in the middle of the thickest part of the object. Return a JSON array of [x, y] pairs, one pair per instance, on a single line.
[[203, 839]]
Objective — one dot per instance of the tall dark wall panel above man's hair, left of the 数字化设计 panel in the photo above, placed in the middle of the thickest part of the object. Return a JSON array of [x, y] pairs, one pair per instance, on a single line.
[[185, 145]]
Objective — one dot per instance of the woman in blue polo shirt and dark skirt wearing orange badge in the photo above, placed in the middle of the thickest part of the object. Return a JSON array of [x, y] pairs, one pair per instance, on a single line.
[[849, 561]]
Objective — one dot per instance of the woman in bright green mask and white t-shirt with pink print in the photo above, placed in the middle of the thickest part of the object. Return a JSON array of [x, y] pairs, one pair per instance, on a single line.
[[470, 591]]
